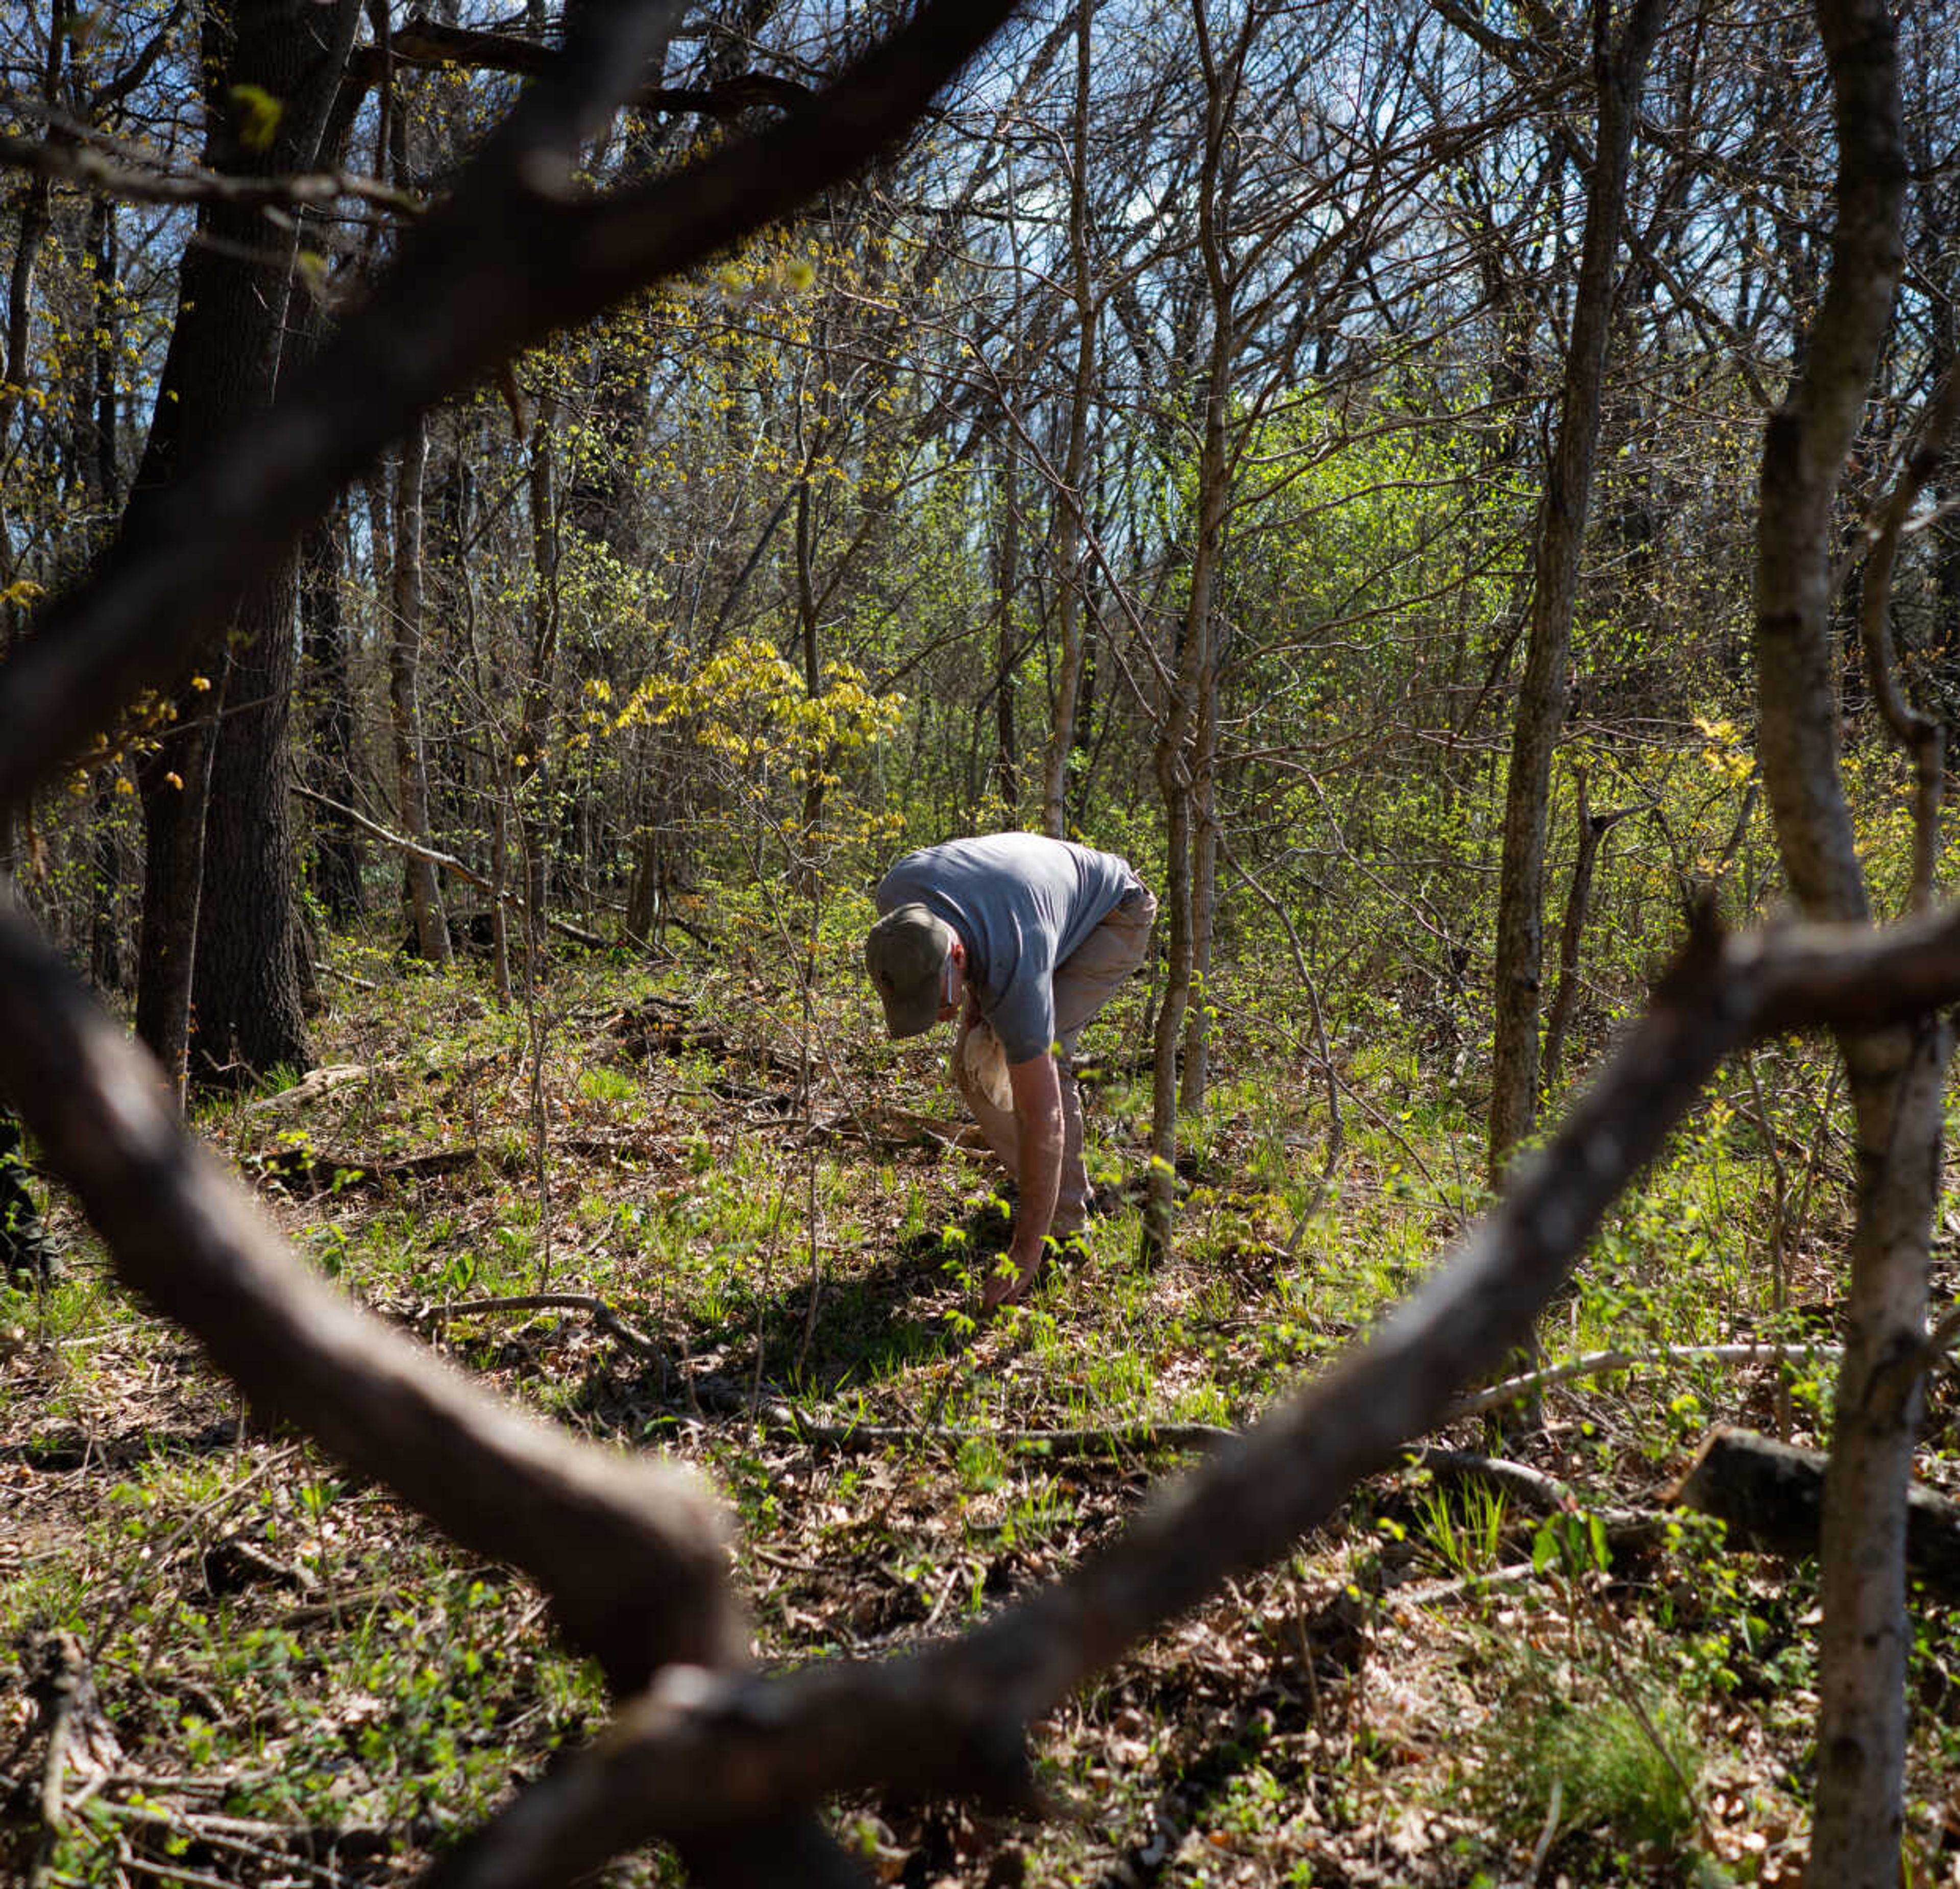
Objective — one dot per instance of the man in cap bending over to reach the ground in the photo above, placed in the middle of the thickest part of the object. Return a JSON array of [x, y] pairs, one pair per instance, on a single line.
[[1024, 940]]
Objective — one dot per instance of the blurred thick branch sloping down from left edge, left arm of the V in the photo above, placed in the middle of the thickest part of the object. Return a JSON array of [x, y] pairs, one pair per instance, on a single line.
[[628, 1551]]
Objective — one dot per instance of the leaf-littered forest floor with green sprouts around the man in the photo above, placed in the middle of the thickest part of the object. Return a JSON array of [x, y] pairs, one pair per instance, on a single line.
[[297, 1682]]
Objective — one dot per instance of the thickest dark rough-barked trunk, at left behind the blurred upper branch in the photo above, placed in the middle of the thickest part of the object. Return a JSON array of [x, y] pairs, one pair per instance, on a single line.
[[219, 900]]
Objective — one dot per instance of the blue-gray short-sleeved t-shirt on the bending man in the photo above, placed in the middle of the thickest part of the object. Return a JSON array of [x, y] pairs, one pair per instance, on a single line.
[[1022, 904]]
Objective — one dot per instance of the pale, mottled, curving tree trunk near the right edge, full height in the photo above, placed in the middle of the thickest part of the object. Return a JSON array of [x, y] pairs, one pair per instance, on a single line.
[[1896, 1077]]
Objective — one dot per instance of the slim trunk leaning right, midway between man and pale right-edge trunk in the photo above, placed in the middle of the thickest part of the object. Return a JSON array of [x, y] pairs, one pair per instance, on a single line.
[[1543, 695]]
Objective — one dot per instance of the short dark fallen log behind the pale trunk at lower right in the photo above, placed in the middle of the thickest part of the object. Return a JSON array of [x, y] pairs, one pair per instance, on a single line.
[[1771, 1494]]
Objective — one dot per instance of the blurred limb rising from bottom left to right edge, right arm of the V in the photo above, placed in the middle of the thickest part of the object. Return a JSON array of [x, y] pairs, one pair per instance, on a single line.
[[954, 1718]]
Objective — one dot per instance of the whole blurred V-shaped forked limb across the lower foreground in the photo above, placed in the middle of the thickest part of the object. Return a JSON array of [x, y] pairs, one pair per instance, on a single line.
[[630, 1555]]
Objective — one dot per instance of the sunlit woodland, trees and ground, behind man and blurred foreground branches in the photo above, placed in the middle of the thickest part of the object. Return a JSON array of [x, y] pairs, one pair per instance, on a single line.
[[1308, 452]]
